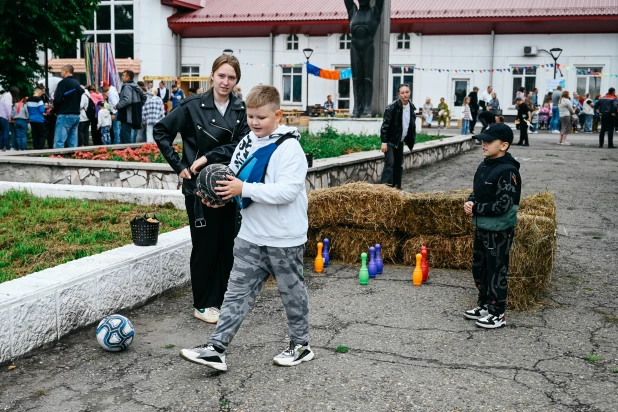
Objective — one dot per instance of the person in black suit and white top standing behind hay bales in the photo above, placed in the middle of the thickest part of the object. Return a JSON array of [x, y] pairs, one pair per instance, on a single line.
[[399, 126]]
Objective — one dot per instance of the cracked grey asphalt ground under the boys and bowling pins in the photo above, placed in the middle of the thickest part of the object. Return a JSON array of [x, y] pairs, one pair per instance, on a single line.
[[409, 348]]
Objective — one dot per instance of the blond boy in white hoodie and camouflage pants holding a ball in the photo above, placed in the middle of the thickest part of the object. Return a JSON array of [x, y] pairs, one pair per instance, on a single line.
[[272, 235]]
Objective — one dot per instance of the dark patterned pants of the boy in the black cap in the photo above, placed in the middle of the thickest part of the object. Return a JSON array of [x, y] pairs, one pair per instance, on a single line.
[[490, 267]]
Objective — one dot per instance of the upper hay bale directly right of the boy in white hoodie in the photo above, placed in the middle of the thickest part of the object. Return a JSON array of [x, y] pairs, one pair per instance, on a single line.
[[361, 205]]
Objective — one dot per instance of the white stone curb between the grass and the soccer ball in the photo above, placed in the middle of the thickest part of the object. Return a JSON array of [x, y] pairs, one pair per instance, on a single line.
[[42, 307]]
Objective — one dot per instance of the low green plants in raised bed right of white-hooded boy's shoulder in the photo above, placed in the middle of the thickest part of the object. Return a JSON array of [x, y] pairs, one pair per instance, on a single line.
[[330, 143]]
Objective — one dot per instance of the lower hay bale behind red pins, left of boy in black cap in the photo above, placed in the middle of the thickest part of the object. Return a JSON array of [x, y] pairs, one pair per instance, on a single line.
[[442, 251]]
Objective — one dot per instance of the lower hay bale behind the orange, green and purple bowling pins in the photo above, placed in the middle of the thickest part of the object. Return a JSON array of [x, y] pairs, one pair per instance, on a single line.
[[346, 244]]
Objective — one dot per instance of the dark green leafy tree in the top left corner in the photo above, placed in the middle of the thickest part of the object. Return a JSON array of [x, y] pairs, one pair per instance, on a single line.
[[32, 26]]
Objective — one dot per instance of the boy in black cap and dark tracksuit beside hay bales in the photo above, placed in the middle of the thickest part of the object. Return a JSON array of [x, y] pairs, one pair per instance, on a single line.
[[493, 207]]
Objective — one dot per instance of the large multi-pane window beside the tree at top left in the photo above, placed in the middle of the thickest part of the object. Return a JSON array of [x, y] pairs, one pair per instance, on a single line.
[[111, 23]]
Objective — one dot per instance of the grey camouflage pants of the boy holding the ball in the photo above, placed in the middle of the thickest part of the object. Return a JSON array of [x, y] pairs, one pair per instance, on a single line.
[[252, 266]]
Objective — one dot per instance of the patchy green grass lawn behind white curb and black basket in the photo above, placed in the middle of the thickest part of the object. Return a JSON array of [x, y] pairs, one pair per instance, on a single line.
[[39, 233]]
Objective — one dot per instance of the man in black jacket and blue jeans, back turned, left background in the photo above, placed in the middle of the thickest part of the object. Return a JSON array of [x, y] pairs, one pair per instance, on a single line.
[[67, 98]]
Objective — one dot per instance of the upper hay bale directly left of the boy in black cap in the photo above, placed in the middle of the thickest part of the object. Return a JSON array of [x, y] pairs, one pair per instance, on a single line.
[[436, 213]]
